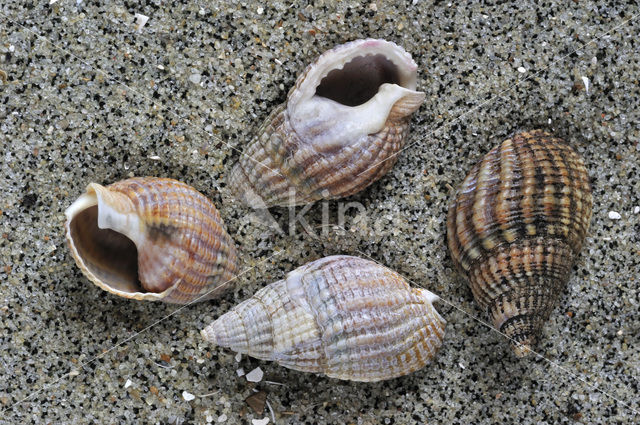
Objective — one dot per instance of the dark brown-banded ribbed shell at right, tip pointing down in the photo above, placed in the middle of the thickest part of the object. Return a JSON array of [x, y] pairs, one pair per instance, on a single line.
[[516, 227]]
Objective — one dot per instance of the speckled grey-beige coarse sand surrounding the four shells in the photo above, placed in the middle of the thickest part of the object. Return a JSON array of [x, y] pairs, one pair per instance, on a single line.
[[180, 97]]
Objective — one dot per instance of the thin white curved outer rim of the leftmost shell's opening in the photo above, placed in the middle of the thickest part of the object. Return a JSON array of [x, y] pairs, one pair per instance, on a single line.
[[87, 200]]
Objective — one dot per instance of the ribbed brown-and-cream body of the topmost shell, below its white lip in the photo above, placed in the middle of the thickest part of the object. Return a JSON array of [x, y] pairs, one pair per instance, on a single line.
[[279, 163]]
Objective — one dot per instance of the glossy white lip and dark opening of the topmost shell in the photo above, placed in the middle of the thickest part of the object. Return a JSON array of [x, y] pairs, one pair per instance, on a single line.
[[333, 118]]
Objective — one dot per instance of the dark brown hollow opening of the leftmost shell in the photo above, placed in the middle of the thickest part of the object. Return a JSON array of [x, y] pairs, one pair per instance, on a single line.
[[109, 256]]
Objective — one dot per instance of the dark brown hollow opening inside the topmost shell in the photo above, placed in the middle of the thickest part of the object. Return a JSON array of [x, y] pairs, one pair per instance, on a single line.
[[359, 80]]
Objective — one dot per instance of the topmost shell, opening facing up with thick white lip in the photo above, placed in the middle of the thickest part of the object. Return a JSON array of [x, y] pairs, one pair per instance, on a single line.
[[340, 129]]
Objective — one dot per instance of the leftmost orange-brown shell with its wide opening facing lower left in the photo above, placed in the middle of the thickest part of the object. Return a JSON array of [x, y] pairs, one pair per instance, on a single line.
[[151, 239]]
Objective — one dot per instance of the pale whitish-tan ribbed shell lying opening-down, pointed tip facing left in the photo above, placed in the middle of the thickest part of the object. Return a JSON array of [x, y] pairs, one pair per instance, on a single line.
[[342, 316]]
